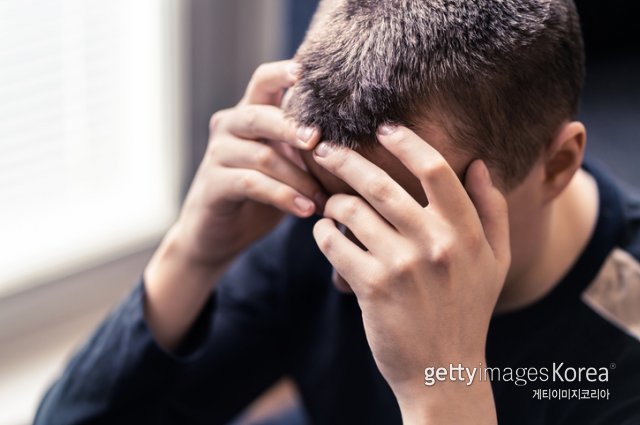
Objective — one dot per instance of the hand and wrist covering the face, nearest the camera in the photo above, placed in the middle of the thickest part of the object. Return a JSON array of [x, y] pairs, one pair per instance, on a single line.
[[430, 277]]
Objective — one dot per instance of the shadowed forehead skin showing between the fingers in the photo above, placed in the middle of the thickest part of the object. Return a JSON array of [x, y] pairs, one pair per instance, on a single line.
[[382, 158]]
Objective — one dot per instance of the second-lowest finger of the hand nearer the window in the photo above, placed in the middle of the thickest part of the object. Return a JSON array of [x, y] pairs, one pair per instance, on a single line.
[[264, 158]]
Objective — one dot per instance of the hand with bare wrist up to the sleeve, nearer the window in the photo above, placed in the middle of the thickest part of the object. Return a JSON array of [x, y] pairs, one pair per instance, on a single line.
[[249, 178]]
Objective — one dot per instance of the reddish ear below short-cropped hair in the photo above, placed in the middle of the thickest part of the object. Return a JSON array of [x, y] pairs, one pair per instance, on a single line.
[[563, 158]]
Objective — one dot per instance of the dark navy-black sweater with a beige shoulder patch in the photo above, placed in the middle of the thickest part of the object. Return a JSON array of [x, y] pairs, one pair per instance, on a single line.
[[276, 313]]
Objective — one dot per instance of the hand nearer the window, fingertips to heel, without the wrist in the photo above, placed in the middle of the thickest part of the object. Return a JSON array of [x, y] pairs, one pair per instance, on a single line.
[[249, 177]]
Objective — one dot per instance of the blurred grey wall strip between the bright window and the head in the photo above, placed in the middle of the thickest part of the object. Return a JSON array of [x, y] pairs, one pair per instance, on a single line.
[[226, 41]]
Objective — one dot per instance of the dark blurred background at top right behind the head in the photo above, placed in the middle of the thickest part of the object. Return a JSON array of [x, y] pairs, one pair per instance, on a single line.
[[611, 100]]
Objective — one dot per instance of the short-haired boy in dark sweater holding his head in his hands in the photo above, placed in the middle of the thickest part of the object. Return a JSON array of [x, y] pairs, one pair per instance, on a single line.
[[483, 275]]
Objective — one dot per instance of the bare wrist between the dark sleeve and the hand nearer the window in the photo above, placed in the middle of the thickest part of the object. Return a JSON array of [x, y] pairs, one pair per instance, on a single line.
[[176, 290]]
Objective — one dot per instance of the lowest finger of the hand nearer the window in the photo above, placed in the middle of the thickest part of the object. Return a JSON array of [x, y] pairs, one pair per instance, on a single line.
[[252, 184]]
